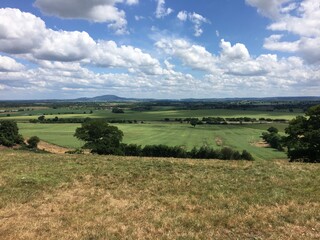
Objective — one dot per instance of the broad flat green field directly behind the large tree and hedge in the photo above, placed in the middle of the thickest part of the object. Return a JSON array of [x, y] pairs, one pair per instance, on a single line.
[[239, 137]]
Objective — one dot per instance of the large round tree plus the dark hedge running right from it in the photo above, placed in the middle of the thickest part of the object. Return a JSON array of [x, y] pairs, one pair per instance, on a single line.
[[102, 138]]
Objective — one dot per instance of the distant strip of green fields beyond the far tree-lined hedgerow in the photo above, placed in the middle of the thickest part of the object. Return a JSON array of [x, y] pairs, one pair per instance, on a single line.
[[148, 115]]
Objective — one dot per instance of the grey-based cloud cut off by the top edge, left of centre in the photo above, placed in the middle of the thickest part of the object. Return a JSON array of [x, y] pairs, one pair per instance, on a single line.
[[92, 10]]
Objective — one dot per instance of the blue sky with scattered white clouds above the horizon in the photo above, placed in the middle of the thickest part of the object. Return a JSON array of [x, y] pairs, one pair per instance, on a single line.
[[162, 49]]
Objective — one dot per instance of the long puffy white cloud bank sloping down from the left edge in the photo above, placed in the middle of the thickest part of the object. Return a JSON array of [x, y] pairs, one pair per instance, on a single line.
[[70, 46]]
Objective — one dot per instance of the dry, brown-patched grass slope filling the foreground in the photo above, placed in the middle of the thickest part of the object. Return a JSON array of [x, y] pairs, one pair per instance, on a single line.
[[105, 197]]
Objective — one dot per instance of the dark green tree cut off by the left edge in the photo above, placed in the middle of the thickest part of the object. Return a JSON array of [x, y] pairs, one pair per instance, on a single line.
[[9, 133]]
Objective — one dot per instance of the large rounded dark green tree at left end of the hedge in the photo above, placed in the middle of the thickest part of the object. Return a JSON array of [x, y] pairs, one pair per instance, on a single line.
[[100, 137]]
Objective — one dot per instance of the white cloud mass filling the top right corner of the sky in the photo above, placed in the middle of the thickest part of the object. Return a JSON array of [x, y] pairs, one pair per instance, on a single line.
[[301, 19]]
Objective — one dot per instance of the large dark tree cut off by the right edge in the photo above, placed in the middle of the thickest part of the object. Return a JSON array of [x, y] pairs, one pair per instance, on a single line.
[[303, 140]]
